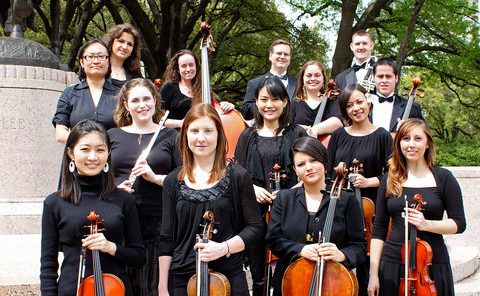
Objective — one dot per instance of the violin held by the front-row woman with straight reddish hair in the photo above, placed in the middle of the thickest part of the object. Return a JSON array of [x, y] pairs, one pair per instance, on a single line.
[[206, 282]]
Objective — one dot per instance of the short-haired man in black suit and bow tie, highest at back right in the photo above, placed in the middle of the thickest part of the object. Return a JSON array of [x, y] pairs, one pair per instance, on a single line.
[[361, 70]]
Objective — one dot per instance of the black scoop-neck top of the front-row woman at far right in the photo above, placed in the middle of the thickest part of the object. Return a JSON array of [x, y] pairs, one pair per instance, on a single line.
[[445, 197]]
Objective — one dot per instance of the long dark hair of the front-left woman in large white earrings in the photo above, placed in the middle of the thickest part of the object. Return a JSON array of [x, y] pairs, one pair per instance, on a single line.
[[69, 187]]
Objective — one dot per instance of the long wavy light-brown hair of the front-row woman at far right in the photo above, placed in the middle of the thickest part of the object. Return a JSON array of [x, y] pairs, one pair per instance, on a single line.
[[397, 172]]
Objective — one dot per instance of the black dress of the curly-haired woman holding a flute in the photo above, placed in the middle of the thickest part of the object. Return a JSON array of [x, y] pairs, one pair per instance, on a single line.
[[163, 158]]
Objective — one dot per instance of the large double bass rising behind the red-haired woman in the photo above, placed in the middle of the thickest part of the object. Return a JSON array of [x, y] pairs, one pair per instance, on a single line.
[[232, 121]]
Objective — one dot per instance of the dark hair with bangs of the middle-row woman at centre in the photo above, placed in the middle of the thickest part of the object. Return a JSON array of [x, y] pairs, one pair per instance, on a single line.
[[276, 89]]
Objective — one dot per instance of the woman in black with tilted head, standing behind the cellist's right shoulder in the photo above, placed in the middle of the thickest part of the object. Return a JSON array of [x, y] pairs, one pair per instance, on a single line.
[[370, 145]]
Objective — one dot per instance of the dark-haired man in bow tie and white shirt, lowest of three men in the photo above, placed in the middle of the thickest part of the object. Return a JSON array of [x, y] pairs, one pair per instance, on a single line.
[[388, 107]]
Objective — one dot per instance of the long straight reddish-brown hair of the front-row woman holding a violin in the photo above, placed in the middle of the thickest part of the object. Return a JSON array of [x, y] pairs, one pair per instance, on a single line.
[[220, 162]]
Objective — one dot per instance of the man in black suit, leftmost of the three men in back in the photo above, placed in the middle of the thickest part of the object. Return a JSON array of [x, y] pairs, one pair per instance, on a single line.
[[279, 56]]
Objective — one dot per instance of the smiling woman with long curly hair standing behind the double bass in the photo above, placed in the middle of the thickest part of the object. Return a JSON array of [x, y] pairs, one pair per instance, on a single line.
[[183, 87]]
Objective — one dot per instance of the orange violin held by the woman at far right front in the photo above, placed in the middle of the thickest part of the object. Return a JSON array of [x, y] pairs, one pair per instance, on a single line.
[[417, 257]]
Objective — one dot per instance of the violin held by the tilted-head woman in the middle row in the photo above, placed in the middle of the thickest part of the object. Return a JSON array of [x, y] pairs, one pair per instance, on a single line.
[[367, 205]]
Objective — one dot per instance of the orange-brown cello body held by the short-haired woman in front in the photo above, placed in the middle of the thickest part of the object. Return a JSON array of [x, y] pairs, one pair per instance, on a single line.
[[297, 283]]
